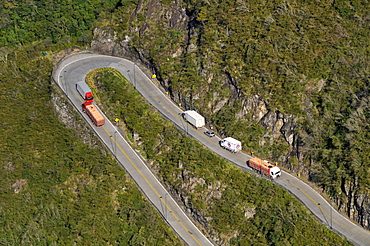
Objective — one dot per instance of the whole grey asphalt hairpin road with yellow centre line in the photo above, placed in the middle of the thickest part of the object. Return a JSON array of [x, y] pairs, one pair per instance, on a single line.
[[74, 68]]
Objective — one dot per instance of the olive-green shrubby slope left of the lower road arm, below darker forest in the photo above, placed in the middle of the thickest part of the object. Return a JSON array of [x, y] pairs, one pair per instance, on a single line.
[[54, 188]]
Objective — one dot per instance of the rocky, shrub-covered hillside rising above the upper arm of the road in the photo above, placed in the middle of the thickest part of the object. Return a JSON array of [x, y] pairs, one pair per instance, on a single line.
[[290, 79]]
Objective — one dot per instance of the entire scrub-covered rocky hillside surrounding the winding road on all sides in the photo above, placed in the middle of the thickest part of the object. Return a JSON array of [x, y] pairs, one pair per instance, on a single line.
[[300, 99]]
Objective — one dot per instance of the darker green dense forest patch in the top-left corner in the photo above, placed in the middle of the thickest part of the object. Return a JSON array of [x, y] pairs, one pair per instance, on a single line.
[[59, 22]]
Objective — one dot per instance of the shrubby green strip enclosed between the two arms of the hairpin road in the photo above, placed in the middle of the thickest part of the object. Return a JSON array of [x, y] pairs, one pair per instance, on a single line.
[[243, 209]]
